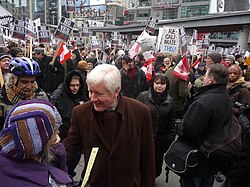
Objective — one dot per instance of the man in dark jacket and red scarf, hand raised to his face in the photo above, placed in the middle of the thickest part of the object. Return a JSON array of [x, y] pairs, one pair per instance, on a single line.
[[133, 79]]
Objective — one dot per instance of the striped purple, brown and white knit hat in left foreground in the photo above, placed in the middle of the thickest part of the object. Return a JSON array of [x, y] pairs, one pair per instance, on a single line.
[[28, 128]]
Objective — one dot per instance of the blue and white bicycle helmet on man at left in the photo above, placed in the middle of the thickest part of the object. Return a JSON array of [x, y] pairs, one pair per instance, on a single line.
[[24, 66]]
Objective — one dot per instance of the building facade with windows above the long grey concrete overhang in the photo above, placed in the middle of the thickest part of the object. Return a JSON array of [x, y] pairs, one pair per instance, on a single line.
[[138, 11]]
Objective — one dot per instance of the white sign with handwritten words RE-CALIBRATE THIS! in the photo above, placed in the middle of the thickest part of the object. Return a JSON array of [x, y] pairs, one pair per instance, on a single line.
[[168, 40]]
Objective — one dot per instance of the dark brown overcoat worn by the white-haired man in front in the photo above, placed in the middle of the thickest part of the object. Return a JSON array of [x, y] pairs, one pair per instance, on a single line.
[[129, 161]]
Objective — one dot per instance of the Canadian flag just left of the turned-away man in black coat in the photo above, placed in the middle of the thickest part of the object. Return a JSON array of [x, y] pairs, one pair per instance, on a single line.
[[182, 69]]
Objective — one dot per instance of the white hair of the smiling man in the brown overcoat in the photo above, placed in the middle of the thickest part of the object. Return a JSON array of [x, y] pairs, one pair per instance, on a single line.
[[107, 74]]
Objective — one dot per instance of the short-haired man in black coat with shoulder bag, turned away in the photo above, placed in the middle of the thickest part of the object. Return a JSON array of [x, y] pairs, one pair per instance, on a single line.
[[208, 113]]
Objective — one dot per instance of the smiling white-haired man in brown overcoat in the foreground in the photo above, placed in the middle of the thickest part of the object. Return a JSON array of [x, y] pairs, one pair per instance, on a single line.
[[119, 126]]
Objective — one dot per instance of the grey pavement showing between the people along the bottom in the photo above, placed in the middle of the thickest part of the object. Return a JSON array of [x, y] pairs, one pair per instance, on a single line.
[[159, 182]]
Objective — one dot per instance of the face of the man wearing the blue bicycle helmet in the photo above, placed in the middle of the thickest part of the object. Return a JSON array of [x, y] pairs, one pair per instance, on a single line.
[[27, 84]]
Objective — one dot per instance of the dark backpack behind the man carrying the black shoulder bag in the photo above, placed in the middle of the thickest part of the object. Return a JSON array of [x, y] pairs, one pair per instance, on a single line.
[[227, 147]]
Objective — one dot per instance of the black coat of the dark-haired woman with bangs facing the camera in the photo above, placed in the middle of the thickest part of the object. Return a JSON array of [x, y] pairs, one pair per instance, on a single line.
[[163, 125]]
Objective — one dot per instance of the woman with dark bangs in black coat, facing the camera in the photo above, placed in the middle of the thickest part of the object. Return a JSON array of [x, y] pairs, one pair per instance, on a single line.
[[159, 102]]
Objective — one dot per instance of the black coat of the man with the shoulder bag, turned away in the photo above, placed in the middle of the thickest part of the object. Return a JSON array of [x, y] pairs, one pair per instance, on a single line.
[[208, 112]]
